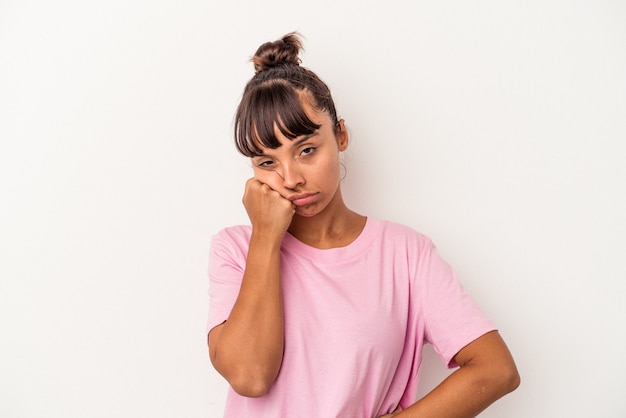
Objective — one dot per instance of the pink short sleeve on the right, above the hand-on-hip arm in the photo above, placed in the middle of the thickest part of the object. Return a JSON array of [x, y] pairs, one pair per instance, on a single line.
[[451, 317]]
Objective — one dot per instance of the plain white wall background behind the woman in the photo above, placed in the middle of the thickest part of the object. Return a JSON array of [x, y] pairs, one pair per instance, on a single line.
[[497, 128]]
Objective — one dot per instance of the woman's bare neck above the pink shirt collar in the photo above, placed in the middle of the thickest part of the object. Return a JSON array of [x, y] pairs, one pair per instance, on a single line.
[[336, 226]]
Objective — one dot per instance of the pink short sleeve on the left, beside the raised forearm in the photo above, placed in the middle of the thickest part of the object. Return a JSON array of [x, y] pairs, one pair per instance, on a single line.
[[227, 257]]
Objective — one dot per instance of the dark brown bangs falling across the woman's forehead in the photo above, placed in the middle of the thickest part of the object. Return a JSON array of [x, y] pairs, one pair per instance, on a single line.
[[261, 109]]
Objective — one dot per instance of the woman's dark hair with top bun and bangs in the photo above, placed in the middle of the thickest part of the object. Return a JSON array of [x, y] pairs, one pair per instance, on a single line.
[[273, 97]]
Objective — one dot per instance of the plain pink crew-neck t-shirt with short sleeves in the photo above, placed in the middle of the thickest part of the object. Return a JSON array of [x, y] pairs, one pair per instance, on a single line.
[[356, 320]]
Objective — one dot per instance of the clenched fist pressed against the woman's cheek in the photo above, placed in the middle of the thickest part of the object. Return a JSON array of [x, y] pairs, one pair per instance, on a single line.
[[267, 209]]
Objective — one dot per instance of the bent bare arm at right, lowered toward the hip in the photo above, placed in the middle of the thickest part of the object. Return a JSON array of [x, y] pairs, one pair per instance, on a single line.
[[487, 372]]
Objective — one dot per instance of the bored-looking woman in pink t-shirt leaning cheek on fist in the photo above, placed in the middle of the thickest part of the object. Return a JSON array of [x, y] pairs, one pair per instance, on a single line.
[[316, 310]]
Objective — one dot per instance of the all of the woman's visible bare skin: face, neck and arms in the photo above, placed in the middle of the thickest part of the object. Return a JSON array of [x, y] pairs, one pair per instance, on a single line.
[[296, 189]]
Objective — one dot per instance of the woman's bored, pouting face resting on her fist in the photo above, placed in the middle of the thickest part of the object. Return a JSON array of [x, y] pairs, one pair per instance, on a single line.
[[305, 170]]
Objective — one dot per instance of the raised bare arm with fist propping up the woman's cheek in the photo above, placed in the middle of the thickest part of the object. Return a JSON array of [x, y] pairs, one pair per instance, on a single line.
[[247, 349]]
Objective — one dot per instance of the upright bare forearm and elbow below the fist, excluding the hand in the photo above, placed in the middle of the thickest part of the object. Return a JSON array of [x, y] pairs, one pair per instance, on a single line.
[[249, 346]]
